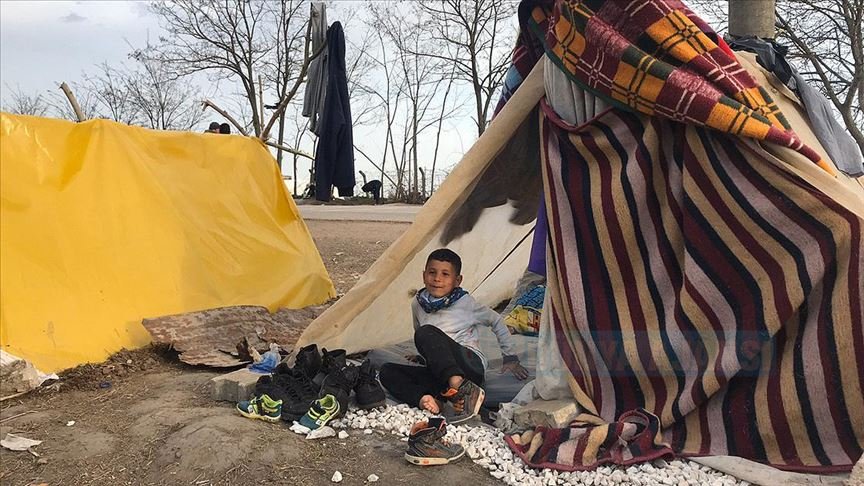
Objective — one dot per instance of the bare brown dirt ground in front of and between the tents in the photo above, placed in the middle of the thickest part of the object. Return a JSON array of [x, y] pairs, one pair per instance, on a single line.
[[143, 417]]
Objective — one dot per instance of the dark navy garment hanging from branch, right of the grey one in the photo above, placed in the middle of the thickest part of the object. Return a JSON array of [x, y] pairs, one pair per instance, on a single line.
[[334, 157]]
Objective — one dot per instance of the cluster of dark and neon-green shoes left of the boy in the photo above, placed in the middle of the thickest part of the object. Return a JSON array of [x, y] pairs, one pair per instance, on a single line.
[[316, 390]]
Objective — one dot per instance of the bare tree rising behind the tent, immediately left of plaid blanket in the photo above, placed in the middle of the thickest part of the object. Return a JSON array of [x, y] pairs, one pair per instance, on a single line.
[[475, 37]]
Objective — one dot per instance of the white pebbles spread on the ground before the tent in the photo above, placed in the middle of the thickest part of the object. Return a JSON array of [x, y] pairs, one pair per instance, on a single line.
[[486, 447]]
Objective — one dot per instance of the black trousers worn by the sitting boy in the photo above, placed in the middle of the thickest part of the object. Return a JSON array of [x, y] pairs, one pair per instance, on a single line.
[[444, 358]]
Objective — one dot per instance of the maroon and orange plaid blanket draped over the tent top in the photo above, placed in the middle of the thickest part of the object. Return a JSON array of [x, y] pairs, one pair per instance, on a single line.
[[658, 58]]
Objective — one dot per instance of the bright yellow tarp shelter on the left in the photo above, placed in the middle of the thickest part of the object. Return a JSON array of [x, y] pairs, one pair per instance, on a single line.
[[105, 224]]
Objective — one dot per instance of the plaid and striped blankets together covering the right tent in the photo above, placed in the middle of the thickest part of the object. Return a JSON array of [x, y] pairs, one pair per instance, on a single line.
[[705, 299]]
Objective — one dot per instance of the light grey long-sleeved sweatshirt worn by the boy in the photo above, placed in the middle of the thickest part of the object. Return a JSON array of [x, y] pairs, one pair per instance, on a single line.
[[461, 320]]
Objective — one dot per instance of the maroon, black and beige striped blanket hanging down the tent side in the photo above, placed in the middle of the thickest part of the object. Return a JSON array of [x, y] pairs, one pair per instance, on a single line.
[[701, 283]]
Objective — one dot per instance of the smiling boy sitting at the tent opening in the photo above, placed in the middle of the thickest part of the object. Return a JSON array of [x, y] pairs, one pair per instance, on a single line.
[[446, 321]]
